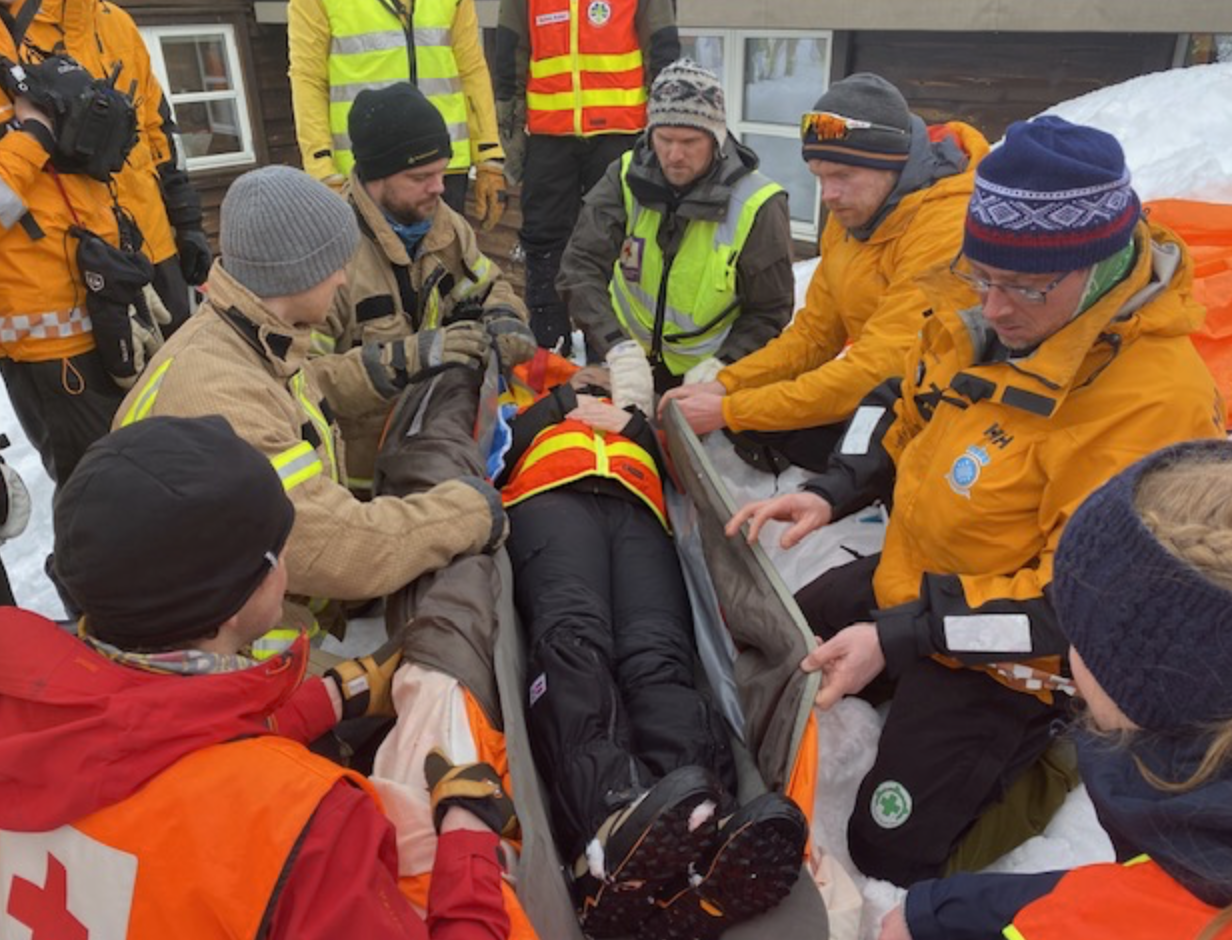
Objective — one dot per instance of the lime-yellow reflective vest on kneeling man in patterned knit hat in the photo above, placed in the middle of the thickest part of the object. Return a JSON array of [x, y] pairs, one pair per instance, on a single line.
[[702, 302]]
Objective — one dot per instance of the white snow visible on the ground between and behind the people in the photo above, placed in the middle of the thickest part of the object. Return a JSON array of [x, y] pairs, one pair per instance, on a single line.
[[1177, 131]]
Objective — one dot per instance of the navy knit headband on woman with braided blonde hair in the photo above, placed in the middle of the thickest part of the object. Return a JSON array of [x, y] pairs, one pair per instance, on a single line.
[[1154, 630]]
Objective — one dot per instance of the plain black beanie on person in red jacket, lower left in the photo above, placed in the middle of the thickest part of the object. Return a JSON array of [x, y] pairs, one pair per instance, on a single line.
[[166, 529]]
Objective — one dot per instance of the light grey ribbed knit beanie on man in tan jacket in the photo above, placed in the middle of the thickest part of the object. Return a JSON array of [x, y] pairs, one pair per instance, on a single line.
[[284, 232]]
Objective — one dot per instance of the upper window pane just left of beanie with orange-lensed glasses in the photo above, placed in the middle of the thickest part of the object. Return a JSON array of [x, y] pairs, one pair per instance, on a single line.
[[783, 78]]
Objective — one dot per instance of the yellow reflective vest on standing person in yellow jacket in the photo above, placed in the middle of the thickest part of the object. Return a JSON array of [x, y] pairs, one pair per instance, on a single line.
[[371, 49]]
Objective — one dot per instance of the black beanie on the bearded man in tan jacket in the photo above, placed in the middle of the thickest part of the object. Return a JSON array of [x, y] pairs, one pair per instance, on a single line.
[[396, 129]]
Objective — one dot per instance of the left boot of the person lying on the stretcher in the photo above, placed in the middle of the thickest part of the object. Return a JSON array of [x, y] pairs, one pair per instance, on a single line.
[[644, 848]]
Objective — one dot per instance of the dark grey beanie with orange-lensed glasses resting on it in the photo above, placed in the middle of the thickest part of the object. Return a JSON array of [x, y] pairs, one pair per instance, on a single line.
[[878, 131]]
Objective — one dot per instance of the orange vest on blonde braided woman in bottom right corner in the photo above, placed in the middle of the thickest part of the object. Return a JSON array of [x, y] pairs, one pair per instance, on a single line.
[[1137, 901]]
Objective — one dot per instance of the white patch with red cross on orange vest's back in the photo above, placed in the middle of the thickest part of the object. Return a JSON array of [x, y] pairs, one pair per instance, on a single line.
[[65, 885]]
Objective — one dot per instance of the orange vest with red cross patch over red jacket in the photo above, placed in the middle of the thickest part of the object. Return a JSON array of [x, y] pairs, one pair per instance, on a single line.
[[176, 859]]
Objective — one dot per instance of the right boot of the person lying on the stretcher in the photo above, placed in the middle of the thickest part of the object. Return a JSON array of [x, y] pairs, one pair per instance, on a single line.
[[751, 869]]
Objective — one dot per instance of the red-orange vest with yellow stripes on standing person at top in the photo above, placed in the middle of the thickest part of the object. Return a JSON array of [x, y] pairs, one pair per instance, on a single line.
[[587, 76]]
